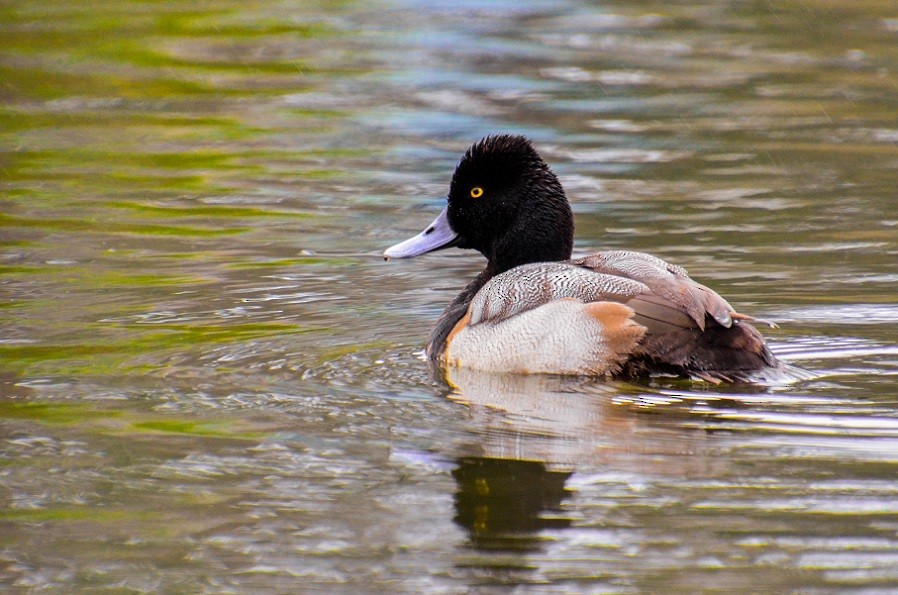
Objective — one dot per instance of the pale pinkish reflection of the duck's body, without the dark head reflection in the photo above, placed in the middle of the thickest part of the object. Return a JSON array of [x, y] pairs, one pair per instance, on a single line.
[[569, 422]]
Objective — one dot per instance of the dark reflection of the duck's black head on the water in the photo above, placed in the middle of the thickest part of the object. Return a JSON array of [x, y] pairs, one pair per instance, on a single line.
[[503, 503]]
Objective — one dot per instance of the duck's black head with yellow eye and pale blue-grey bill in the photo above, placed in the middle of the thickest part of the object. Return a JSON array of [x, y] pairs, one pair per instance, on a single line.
[[504, 202]]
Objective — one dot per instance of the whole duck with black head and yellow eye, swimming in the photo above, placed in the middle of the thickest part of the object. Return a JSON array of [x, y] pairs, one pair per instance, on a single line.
[[536, 310]]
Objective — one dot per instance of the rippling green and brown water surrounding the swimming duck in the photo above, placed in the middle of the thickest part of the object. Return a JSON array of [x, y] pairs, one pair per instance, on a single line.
[[211, 382]]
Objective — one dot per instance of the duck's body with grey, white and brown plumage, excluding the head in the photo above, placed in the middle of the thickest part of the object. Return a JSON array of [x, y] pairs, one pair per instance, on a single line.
[[618, 313]]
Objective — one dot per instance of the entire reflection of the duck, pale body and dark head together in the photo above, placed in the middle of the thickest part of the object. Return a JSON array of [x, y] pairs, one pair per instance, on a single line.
[[541, 438]]
